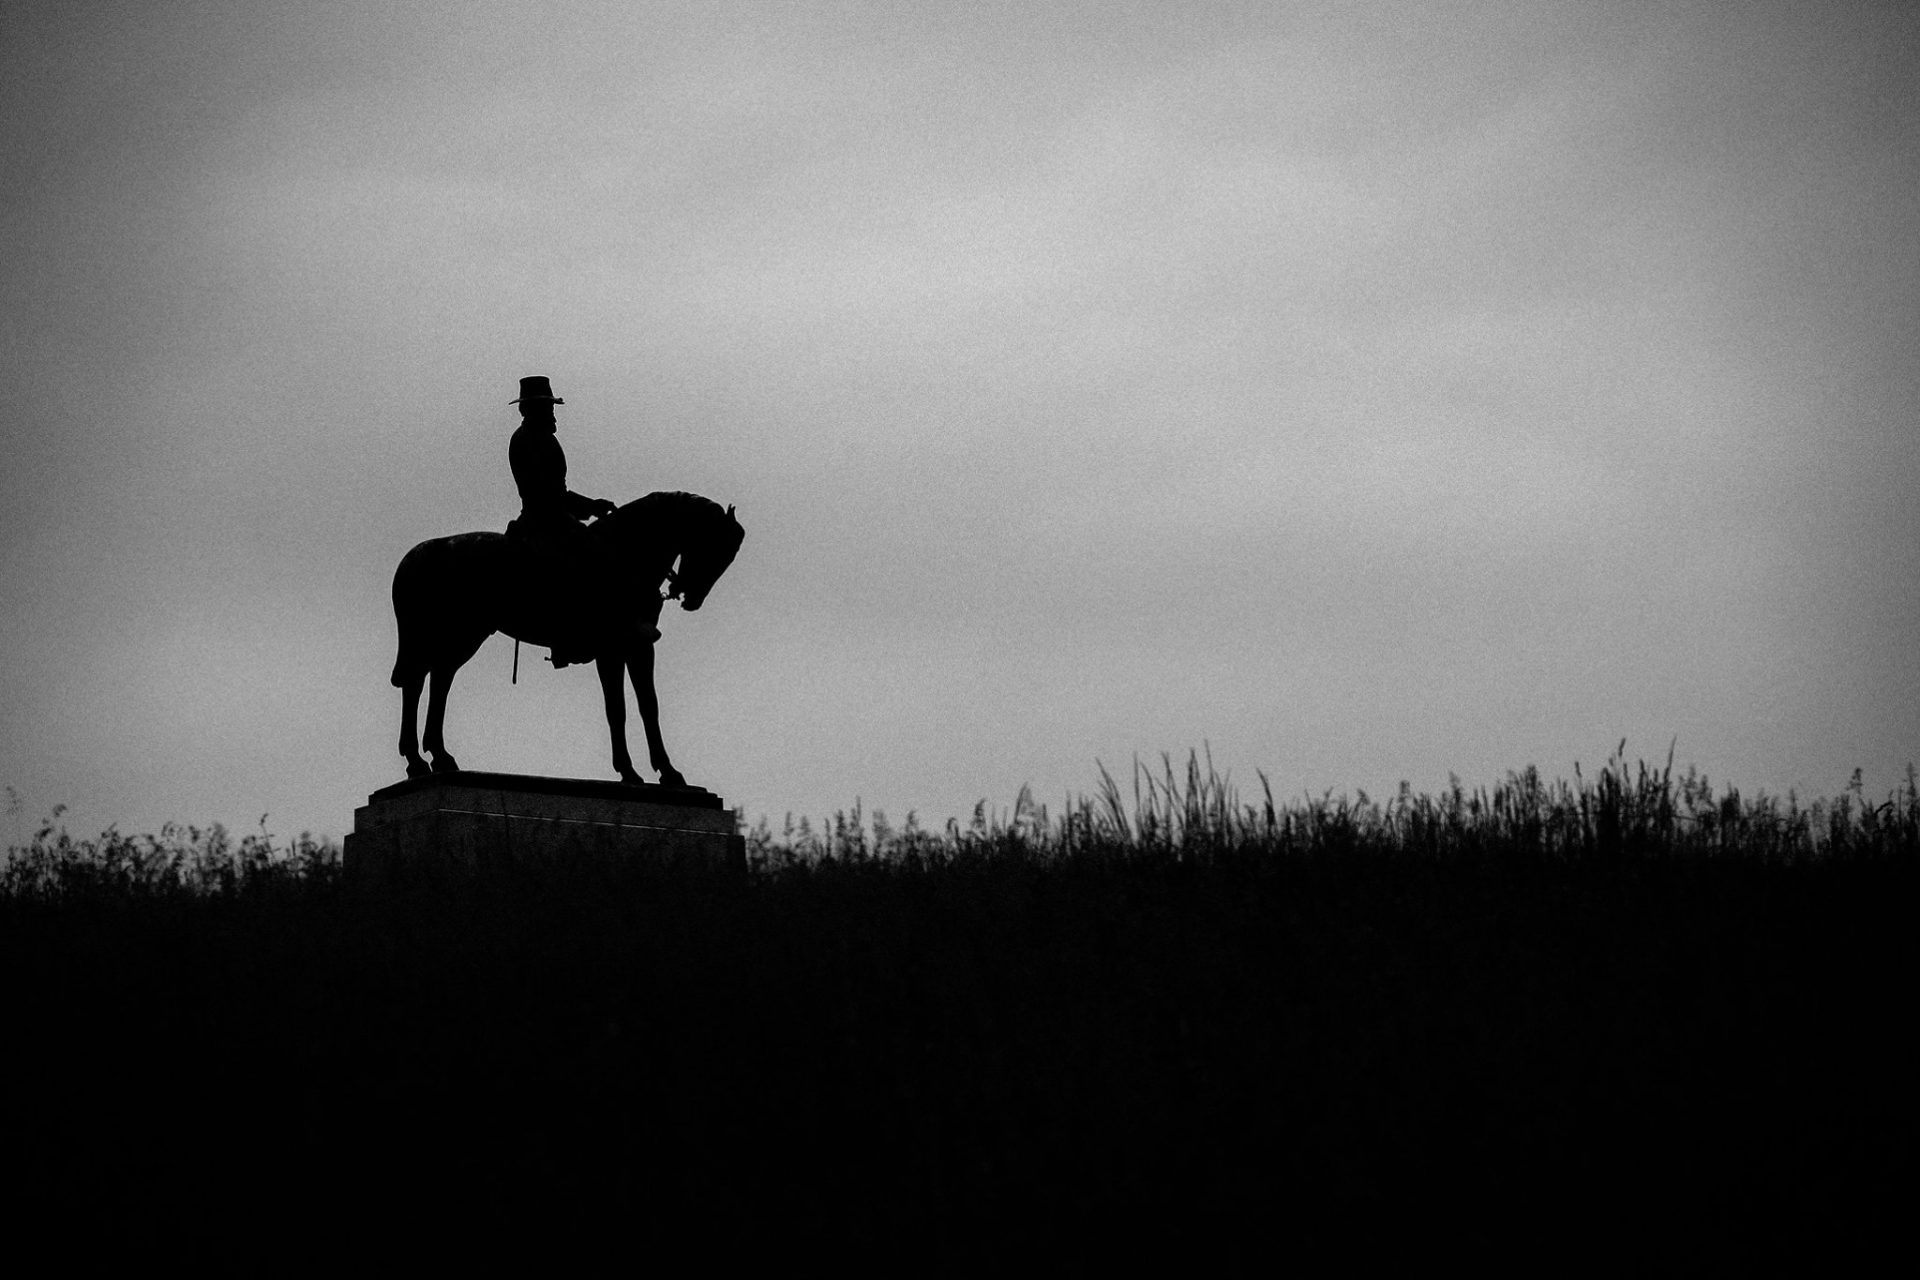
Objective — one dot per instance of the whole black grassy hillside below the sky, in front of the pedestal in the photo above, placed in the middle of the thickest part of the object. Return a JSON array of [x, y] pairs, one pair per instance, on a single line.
[[1616, 1020]]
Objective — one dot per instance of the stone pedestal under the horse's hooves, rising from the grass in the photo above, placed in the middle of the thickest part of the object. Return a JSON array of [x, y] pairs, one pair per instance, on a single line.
[[462, 824]]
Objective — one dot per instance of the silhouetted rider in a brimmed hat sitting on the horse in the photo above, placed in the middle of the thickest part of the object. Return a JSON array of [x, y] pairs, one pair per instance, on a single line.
[[552, 519]]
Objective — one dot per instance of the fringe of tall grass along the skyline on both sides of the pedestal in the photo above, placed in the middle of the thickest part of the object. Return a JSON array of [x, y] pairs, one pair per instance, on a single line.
[[1188, 815]]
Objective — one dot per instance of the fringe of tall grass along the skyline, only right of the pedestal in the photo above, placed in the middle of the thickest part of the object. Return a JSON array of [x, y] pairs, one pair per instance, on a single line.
[[1199, 815]]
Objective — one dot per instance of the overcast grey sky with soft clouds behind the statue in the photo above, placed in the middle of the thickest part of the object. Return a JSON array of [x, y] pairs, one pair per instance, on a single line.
[[1370, 392]]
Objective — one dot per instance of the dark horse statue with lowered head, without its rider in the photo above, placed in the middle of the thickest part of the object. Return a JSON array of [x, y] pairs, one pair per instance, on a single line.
[[452, 594]]
